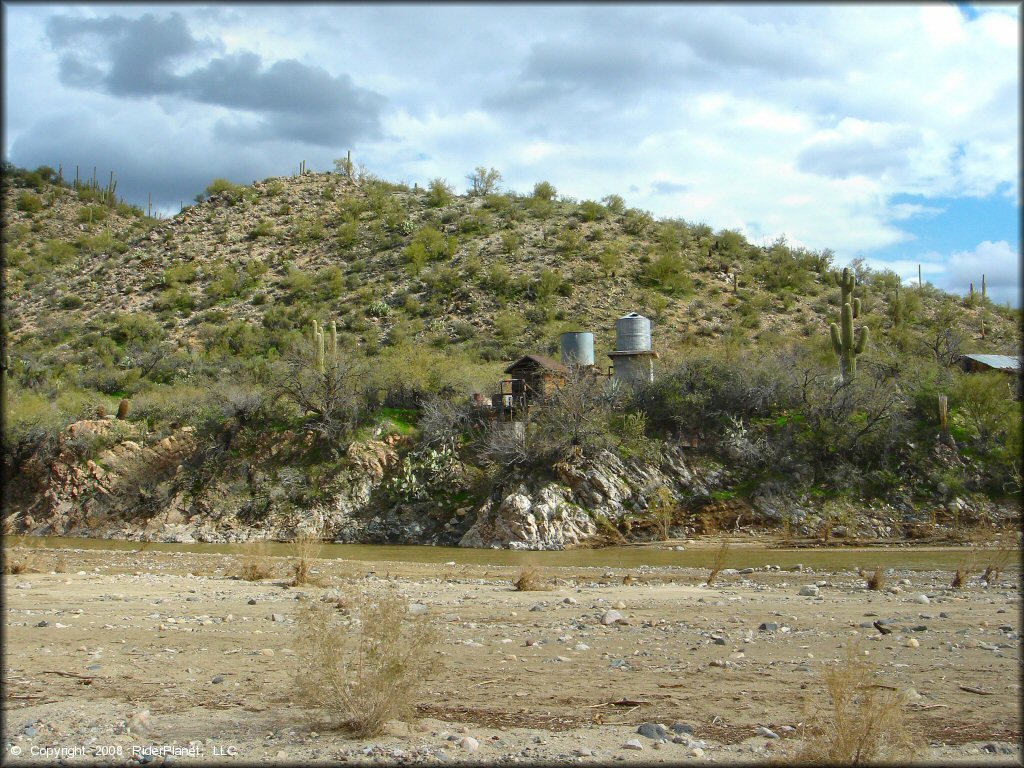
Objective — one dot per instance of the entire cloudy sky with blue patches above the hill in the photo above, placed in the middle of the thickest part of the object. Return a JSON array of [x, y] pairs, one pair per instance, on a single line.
[[885, 133]]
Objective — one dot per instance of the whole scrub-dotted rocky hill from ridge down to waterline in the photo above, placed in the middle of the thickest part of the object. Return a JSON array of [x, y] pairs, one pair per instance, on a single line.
[[192, 319]]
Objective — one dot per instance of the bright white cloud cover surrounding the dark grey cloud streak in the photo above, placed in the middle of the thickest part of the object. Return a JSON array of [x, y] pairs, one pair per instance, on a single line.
[[807, 121]]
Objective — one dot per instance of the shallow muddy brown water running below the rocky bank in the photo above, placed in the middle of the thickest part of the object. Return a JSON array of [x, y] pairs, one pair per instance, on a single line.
[[740, 557]]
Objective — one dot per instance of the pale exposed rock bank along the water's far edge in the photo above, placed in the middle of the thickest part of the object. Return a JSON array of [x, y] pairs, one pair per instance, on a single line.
[[104, 481]]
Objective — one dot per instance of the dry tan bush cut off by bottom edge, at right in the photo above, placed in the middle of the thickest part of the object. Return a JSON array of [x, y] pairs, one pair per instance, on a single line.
[[866, 723]]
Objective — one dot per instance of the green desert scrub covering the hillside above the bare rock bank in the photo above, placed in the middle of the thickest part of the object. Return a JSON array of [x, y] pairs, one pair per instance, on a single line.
[[205, 320]]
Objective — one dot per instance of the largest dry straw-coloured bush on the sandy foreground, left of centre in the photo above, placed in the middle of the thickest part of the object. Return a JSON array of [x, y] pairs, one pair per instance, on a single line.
[[369, 673]]
